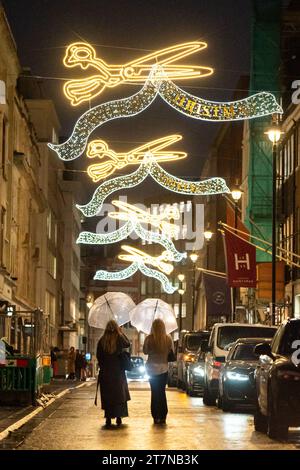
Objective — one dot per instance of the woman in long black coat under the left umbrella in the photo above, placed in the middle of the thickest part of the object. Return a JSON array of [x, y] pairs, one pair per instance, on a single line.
[[112, 379]]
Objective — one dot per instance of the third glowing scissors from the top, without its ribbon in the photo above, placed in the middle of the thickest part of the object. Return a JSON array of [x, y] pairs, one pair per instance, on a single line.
[[156, 220]]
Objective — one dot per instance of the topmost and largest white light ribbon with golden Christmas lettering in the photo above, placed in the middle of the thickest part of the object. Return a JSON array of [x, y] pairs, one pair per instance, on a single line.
[[260, 104]]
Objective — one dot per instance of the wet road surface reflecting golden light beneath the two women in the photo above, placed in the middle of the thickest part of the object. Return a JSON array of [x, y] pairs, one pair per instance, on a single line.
[[73, 422]]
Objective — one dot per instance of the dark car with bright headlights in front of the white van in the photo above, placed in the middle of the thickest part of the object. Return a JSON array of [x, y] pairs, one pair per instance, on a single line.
[[236, 381]]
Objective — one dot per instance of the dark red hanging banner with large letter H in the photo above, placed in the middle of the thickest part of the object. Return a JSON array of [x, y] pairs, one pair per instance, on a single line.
[[241, 261]]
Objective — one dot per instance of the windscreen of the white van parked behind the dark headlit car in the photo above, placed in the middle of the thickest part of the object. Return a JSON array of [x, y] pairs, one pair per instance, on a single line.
[[229, 334]]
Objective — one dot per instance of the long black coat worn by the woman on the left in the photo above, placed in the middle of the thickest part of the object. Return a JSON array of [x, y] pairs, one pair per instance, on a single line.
[[113, 382]]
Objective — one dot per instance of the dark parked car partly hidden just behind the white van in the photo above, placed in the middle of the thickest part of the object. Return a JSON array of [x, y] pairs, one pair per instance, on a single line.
[[188, 345]]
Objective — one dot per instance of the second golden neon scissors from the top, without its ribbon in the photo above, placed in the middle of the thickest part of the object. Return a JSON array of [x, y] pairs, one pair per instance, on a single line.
[[114, 161]]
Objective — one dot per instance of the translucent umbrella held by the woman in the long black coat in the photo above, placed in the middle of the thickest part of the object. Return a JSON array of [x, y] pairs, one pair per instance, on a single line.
[[110, 306]]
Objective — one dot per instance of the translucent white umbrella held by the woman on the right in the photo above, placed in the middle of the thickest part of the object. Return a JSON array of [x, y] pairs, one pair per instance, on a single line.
[[144, 313]]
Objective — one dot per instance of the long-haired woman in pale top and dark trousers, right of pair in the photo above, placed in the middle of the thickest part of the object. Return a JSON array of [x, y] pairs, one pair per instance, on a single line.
[[157, 346]]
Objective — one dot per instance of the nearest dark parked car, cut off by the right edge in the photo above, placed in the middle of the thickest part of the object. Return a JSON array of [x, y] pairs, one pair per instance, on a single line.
[[278, 382]]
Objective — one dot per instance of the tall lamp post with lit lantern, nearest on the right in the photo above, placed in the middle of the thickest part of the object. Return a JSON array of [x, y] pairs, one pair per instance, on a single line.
[[274, 134]]
